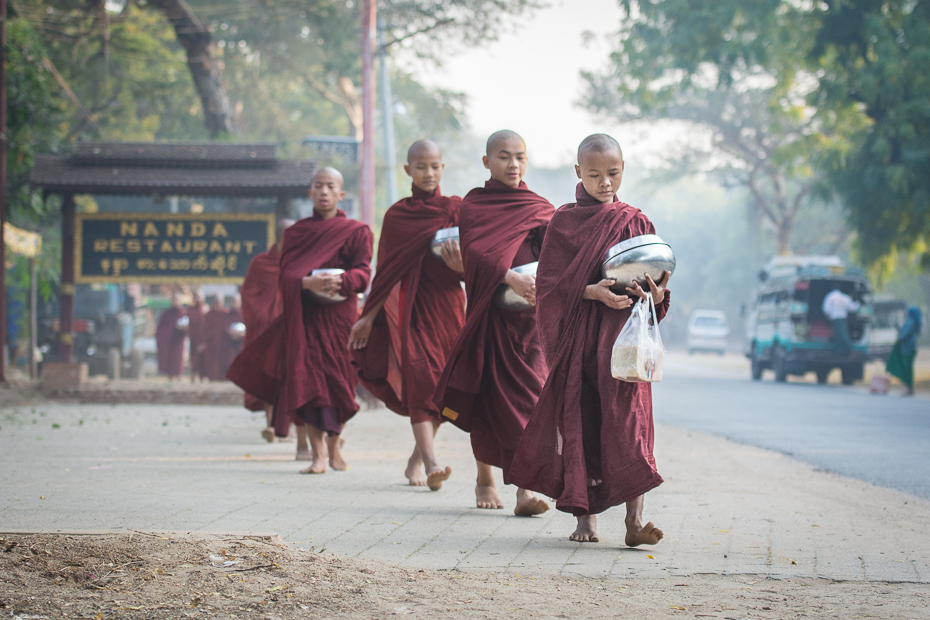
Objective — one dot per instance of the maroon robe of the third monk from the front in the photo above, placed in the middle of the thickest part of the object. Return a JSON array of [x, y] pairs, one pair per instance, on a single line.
[[424, 309]]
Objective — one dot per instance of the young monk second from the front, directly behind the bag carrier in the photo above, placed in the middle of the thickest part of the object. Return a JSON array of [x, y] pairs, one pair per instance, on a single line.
[[496, 367]]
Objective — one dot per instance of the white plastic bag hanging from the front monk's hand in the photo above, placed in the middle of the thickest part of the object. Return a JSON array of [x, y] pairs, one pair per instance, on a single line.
[[638, 353]]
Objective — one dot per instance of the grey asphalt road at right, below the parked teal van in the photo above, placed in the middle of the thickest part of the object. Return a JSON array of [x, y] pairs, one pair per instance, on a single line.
[[884, 440]]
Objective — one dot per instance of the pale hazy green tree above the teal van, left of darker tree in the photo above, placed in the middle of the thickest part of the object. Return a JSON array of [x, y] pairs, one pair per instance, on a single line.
[[737, 70]]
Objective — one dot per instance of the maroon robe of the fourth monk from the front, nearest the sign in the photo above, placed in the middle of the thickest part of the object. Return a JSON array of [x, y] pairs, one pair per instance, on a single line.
[[302, 360]]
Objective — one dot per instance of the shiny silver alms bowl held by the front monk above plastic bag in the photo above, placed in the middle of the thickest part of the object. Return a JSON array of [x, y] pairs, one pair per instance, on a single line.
[[629, 260]]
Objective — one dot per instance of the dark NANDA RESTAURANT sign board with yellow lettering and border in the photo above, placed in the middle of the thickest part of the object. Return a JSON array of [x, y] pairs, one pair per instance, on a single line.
[[168, 248]]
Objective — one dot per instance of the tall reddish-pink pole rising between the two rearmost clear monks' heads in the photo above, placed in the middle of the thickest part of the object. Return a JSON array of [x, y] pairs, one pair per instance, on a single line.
[[367, 176]]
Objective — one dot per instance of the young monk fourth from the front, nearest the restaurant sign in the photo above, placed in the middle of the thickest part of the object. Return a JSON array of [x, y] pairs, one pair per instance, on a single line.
[[301, 361]]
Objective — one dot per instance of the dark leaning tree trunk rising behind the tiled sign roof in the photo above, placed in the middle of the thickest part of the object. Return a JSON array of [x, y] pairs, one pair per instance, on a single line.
[[204, 67]]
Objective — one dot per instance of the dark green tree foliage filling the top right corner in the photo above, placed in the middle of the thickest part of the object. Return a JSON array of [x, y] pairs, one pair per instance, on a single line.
[[875, 57]]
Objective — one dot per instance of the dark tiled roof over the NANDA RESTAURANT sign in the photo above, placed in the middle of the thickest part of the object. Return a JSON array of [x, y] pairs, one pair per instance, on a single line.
[[174, 169]]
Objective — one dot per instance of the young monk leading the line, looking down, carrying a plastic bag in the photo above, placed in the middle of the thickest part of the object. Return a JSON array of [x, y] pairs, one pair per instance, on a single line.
[[589, 443]]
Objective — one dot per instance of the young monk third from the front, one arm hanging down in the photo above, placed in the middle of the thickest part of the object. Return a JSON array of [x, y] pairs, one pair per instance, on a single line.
[[414, 311]]
